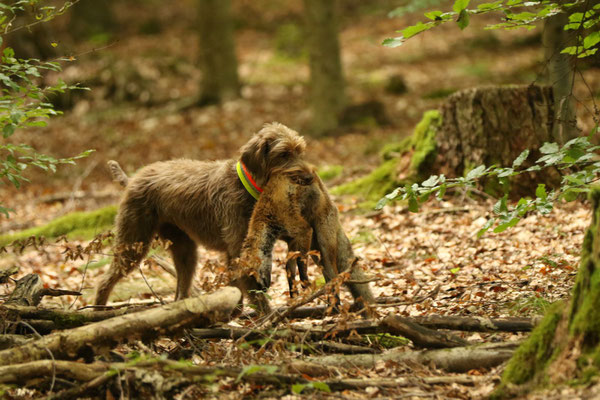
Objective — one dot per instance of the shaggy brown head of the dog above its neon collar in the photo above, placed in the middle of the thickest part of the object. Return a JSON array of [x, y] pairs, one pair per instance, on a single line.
[[275, 147]]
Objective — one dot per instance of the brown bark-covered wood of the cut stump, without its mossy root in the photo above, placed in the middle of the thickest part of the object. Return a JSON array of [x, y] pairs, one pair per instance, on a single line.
[[493, 125]]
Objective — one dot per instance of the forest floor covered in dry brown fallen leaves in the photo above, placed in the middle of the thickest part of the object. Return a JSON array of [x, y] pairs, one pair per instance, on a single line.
[[137, 113]]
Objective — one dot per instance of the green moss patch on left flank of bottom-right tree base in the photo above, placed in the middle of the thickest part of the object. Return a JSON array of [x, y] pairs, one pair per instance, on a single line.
[[533, 356]]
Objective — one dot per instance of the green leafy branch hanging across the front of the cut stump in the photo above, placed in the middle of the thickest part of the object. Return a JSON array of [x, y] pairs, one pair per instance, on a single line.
[[575, 160]]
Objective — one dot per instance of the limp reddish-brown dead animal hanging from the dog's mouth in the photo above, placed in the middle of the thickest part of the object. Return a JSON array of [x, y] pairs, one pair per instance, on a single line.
[[295, 203]]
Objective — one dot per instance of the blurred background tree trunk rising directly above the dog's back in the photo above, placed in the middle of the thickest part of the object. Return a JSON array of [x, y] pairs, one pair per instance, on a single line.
[[217, 52]]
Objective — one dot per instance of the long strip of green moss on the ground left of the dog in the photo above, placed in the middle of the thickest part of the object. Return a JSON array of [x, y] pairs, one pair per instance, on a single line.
[[76, 224]]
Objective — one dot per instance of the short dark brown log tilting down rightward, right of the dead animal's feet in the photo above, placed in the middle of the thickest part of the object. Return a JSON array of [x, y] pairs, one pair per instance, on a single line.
[[419, 335]]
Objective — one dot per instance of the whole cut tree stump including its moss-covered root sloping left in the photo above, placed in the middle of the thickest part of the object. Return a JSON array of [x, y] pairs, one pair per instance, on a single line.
[[478, 126]]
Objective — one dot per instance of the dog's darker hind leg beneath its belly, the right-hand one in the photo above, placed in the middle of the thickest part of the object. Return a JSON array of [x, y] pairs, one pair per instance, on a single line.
[[184, 252]]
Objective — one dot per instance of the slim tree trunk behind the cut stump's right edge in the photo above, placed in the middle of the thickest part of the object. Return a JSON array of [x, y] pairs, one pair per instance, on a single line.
[[560, 76]]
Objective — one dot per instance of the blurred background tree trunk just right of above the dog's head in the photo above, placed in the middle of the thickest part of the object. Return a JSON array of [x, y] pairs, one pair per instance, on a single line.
[[326, 78]]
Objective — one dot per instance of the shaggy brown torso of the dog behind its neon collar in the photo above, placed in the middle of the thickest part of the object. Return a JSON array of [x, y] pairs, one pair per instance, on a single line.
[[202, 198]]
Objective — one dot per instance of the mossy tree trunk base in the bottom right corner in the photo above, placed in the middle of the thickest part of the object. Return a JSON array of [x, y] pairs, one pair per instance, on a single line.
[[566, 344]]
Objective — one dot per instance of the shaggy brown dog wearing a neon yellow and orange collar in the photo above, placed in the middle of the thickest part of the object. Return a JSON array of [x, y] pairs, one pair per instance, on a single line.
[[196, 202]]
